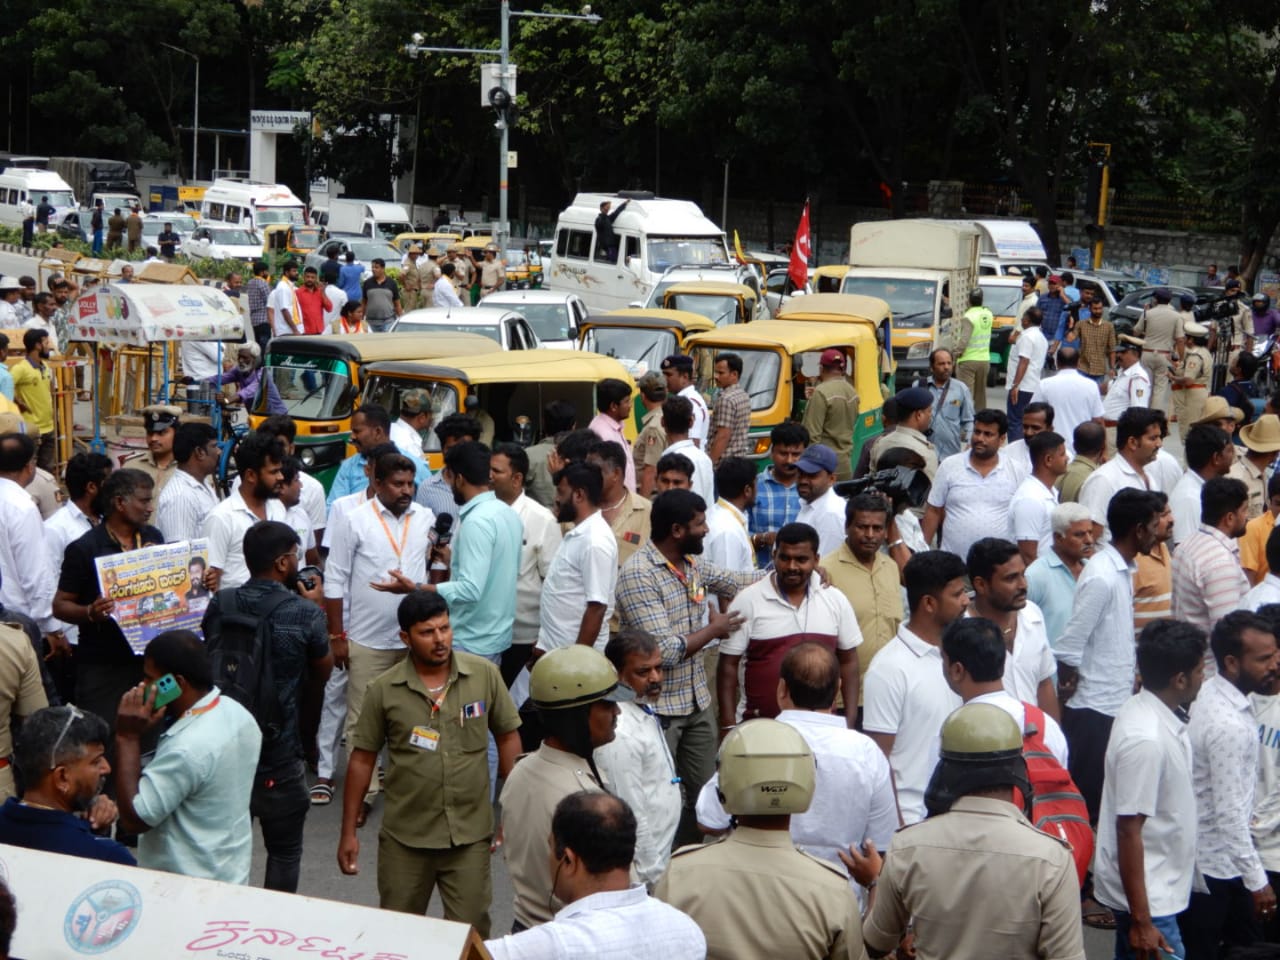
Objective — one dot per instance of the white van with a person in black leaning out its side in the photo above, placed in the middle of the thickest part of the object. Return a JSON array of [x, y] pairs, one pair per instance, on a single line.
[[653, 235]]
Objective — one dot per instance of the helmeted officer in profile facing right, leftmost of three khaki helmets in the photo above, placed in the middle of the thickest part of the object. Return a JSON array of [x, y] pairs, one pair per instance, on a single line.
[[577, 693]]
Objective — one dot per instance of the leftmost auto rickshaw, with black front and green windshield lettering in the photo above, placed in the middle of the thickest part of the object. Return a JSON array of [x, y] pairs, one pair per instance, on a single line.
[[319, 381]]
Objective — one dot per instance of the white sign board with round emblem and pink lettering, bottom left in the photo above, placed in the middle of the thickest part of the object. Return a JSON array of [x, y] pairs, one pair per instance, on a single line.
[[70, 909]]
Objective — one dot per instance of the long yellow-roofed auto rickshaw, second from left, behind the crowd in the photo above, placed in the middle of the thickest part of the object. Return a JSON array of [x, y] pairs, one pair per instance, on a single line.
[[508, 392]]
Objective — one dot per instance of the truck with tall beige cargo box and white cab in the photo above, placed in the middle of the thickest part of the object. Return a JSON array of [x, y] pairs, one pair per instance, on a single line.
[[925, 271]]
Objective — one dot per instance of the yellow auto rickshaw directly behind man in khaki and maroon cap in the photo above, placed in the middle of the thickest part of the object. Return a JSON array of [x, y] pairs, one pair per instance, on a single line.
[[781, 367]]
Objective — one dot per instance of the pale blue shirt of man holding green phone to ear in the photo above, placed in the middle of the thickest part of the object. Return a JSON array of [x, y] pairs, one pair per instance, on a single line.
[[195, 794]]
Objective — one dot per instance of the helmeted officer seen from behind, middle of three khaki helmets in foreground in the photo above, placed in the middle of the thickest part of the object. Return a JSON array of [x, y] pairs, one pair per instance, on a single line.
[[753, 893]]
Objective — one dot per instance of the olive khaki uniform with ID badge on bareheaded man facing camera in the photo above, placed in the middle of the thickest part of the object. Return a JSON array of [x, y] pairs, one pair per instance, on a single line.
[[438, 821]]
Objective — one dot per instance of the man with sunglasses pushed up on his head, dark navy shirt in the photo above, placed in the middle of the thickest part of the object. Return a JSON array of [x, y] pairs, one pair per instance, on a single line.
[[62, 757]]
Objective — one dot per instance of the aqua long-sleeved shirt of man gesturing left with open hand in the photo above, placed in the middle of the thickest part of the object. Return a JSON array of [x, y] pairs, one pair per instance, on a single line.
[[482, 586]]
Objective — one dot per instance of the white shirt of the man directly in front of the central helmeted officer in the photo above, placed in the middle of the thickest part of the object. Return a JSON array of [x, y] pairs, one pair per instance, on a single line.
[[853, 798]]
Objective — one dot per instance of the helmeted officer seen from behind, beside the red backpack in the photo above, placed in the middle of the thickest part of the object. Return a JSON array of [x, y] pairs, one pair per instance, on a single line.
[[976, 880]]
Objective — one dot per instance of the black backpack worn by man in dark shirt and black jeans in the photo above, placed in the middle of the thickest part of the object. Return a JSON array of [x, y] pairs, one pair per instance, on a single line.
[[240, 653]]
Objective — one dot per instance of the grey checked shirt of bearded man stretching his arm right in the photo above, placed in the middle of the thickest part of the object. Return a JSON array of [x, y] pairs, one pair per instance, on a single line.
[[652, 598]]
